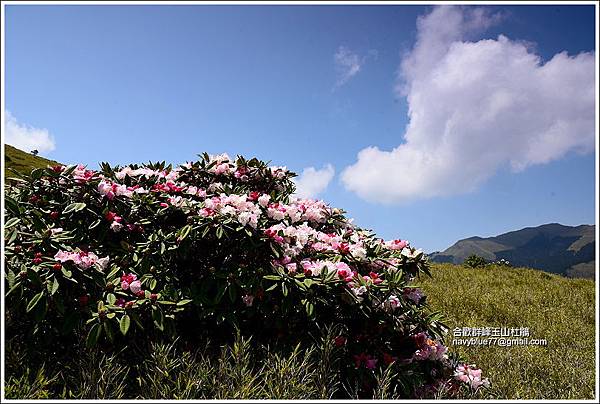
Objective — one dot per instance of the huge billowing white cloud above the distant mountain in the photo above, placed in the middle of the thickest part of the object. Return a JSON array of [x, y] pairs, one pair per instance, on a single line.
[[475, 107]]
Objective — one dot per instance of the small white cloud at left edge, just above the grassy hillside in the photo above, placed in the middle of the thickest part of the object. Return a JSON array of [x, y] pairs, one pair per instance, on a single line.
[[25, 137]]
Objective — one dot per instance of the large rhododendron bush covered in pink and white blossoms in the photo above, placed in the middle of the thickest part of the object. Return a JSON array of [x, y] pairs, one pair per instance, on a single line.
[[136, 253]]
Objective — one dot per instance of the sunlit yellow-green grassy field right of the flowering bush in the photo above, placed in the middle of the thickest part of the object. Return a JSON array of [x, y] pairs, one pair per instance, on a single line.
[[554, 308]]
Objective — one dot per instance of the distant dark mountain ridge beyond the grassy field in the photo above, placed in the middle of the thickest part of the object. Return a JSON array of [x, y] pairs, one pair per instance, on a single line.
[[564, 250]]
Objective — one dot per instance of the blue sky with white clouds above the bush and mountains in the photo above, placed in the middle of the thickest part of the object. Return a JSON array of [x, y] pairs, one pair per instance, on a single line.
[[136, 83]]
